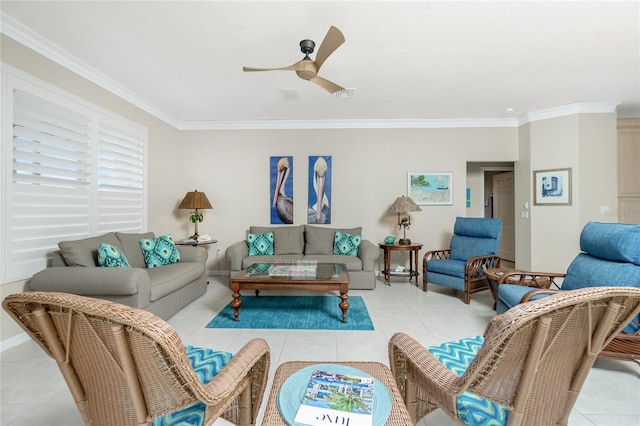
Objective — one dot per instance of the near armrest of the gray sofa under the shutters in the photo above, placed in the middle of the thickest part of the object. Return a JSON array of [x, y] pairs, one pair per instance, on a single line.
[[93, 281]]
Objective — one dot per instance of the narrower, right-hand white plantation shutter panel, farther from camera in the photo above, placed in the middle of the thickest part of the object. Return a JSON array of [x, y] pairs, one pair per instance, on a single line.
[[120, 177]]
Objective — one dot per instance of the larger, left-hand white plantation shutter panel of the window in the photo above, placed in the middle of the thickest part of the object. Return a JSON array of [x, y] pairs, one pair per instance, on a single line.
[[50, 183]]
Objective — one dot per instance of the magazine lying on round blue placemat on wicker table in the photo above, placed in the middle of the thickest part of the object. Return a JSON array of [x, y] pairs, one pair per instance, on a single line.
[[336, 399]]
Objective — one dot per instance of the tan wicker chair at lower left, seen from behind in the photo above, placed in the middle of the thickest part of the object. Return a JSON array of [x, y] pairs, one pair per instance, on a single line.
[[125, 366]]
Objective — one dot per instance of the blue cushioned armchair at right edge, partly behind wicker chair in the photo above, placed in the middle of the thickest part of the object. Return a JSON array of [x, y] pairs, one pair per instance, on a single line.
[[610, 256]]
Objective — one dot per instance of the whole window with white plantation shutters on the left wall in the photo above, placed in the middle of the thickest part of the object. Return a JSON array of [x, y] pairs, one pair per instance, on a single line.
[[70, 170]]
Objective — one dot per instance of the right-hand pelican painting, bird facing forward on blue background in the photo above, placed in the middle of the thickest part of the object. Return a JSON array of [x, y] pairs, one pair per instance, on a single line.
[[319, 189]]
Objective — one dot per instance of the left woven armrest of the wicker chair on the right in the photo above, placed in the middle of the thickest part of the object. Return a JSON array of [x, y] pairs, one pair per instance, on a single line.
[[413, 363]]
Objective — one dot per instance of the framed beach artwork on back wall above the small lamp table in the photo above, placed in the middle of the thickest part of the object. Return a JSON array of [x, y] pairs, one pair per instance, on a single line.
[[430, 188]]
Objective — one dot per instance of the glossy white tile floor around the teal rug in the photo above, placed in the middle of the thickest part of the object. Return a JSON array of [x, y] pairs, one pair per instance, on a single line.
[[33, 392]]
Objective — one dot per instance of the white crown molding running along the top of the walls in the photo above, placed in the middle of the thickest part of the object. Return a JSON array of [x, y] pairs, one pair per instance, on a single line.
[[37, 43]]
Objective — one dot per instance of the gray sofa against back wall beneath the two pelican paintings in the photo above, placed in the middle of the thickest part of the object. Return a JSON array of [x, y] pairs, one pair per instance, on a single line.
[[306, 242]]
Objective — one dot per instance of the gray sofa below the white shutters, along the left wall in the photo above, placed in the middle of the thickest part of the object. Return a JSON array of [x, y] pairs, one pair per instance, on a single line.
[[162, 290]]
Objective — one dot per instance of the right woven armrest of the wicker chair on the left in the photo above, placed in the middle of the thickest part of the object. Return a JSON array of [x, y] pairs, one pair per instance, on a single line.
[[250, 362]]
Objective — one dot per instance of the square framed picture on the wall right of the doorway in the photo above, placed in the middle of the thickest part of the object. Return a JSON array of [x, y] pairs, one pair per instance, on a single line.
[[552, 187]]
